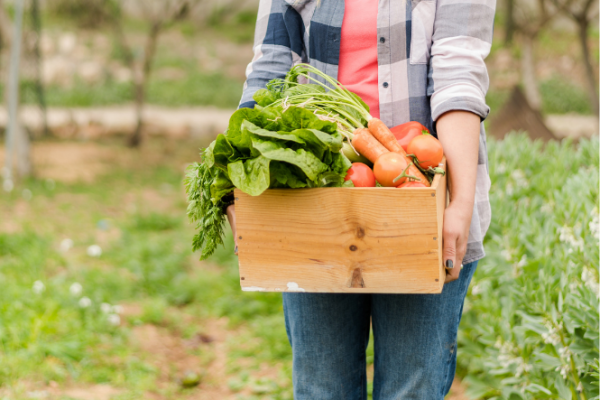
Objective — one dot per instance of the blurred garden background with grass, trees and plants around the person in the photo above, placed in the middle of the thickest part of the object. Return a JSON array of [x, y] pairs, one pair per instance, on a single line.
[[103, 104]]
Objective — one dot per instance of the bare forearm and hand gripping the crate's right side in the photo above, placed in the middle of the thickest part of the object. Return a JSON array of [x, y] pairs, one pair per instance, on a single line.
[[458, 131]]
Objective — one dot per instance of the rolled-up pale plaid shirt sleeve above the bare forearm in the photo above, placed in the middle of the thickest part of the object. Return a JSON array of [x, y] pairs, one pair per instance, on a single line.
[[462, 39]]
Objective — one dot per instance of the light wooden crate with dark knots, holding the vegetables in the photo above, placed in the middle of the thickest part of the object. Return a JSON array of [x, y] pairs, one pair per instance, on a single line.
[[350, 240]]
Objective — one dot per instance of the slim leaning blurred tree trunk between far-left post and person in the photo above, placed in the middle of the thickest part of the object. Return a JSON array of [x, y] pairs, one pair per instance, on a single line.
[[141, 82]]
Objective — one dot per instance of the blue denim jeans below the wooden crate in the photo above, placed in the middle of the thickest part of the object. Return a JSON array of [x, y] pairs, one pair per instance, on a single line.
[[414, 342]]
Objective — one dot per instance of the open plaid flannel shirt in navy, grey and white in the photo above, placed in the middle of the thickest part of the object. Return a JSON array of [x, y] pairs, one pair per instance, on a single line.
[[430, 57]]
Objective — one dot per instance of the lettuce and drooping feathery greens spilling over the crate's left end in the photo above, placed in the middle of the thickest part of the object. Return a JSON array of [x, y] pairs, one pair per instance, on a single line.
[[263, 147]]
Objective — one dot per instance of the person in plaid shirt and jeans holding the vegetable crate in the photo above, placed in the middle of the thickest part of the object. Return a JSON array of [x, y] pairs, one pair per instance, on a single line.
[[410, 61]]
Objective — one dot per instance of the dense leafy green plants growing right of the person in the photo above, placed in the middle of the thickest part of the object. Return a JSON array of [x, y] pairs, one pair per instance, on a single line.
[[530, 328]]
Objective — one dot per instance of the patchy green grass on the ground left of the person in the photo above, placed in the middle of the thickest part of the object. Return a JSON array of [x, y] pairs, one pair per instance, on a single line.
[[59, 309]]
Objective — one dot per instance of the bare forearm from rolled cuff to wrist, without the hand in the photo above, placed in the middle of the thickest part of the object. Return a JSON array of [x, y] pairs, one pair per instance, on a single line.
[[458, 131]]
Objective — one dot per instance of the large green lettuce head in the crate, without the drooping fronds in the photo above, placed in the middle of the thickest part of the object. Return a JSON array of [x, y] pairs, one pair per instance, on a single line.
[[268, 147]]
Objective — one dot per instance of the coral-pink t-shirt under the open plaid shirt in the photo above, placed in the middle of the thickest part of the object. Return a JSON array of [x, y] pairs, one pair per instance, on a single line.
[[357, 68]]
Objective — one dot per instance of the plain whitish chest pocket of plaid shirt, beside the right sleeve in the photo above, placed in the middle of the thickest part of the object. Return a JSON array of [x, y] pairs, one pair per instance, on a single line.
[[421, 31]]
